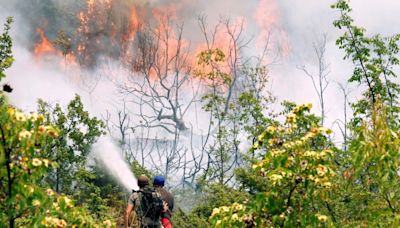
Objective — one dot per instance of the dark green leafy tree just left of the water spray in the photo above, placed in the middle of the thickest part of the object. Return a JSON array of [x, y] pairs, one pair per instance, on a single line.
[[77, 132]]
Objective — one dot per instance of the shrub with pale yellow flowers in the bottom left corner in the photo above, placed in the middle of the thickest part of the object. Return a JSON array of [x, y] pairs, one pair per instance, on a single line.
[[23, 199]]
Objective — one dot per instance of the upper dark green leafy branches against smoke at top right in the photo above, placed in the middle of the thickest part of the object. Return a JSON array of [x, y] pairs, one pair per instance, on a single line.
[[375, 59]]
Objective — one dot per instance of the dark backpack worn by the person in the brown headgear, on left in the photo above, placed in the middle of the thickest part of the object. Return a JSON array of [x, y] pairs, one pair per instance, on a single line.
[[151, 204]]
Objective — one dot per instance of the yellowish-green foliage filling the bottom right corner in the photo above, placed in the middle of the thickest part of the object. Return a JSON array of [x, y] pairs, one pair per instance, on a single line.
[[370, 182]]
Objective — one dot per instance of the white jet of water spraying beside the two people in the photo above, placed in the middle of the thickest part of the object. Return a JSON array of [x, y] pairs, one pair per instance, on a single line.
[[106, 152]]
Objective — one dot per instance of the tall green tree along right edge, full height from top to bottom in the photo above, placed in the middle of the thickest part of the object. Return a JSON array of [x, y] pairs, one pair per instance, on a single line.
[[369, 169]]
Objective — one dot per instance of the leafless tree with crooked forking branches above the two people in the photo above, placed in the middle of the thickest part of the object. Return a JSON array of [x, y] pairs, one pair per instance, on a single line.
[[159, 90]]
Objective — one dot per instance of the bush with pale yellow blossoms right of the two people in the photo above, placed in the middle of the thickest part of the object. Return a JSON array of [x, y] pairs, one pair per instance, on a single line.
[[298, 170]]
